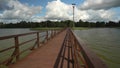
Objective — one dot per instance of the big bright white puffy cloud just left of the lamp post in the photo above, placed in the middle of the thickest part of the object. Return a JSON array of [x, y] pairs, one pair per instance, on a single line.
[[57, 10]]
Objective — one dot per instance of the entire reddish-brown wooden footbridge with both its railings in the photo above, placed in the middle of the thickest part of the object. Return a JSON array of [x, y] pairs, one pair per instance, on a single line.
[[58, 49]]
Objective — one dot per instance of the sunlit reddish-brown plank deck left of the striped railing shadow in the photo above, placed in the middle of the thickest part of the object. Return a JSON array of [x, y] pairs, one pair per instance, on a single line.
[[43, 57]]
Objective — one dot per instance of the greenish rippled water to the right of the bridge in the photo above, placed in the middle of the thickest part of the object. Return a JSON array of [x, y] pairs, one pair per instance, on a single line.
[[105, 42]]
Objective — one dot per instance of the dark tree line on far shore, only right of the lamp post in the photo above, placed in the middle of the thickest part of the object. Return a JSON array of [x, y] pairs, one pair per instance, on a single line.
[[97, 24]]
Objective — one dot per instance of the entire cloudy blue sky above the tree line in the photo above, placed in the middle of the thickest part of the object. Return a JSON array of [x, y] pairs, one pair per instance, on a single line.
[[12, 11]]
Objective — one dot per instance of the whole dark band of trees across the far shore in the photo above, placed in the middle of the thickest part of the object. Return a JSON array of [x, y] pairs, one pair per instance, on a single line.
[[66, 23]]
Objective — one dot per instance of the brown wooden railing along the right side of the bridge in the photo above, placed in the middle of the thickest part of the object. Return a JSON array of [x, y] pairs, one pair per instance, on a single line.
[[87, 57]]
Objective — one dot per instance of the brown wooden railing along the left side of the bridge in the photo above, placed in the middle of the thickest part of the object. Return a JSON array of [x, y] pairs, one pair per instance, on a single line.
[[15, 56]]
